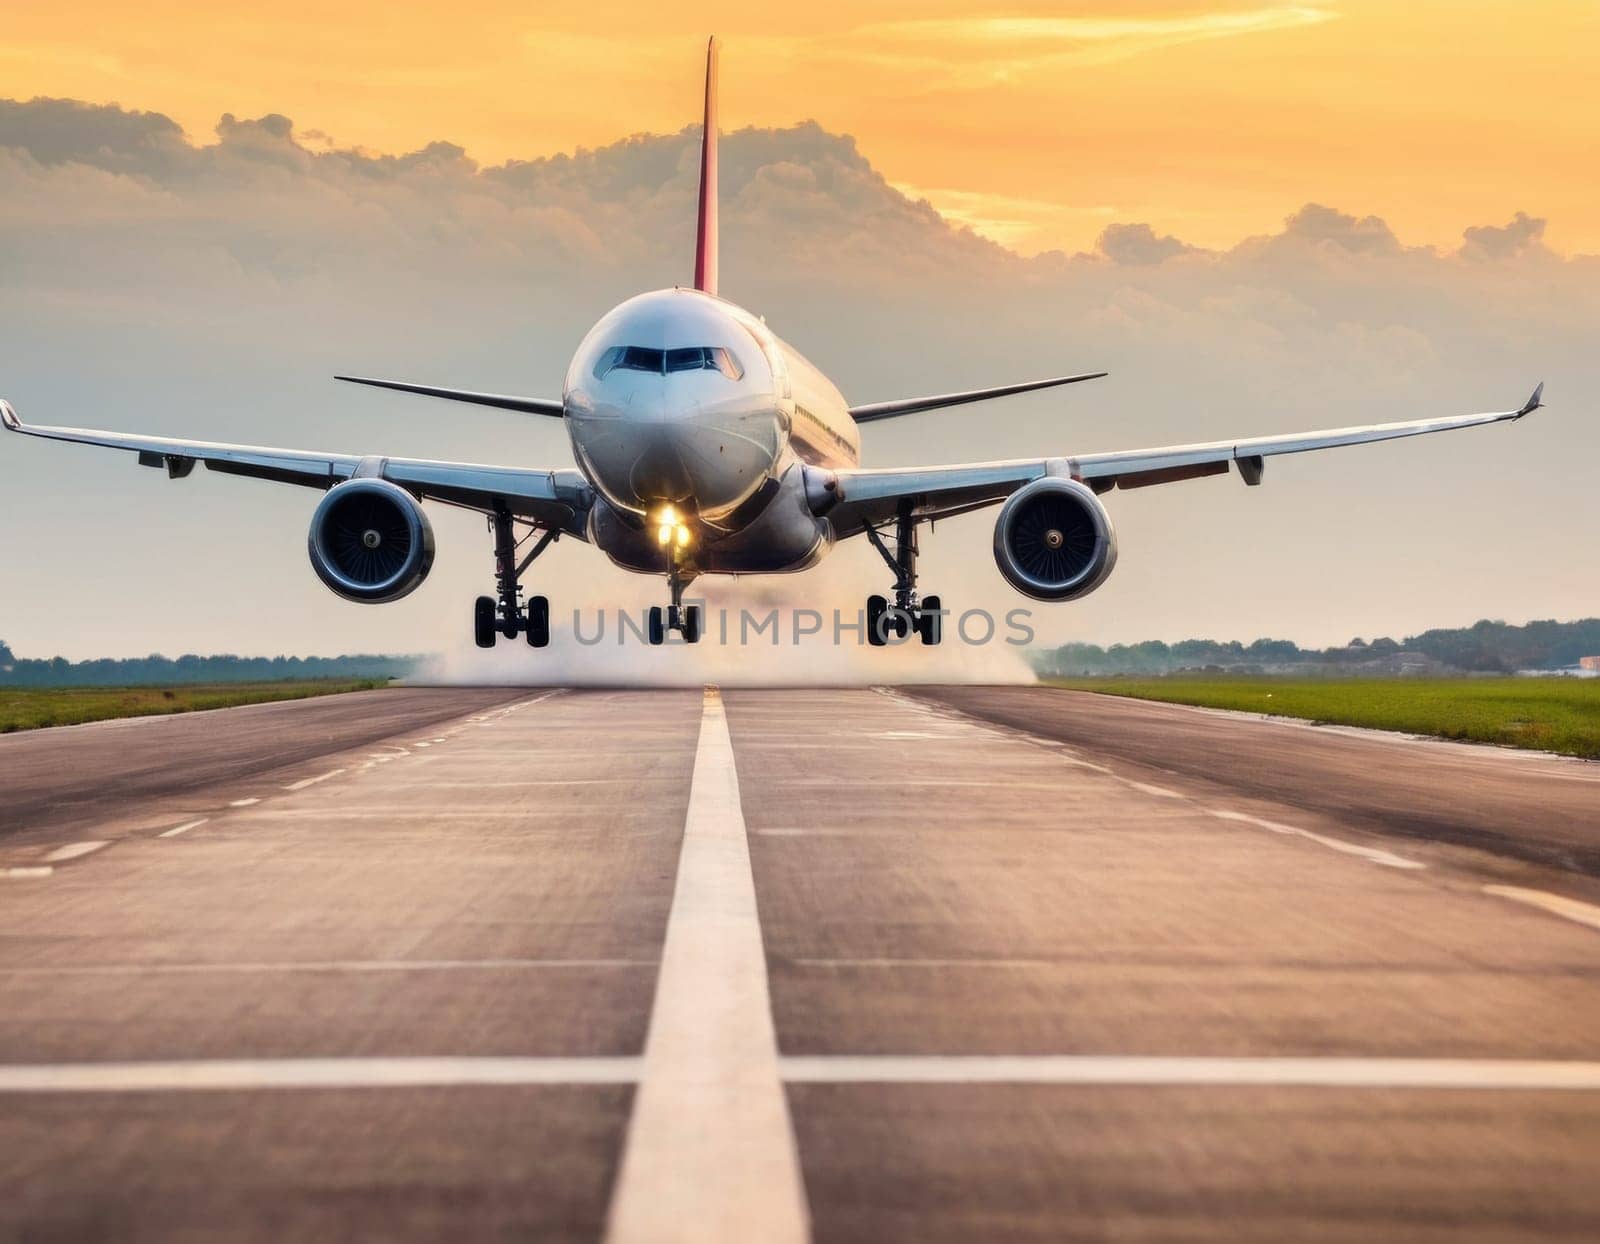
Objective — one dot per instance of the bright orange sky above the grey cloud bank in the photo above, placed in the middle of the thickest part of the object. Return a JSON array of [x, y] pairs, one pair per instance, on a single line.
[[1038, 124]]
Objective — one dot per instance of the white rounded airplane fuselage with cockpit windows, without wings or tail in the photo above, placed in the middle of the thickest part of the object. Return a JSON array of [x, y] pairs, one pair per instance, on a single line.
[[679, 402]]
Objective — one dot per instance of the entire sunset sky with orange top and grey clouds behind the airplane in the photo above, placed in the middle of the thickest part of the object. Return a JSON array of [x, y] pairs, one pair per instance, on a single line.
[[1257, 218]]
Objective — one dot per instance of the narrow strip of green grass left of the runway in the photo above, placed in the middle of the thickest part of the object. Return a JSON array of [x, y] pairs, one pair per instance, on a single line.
[[25, 709]]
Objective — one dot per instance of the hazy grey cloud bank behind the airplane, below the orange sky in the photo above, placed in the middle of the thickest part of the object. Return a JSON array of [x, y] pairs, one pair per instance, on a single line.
[[214, 287]]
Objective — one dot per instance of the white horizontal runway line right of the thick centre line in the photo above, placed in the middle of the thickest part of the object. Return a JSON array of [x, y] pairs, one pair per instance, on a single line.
[[1092, 1069]]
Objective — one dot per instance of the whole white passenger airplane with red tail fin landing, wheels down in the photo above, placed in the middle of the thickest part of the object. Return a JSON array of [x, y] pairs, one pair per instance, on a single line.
[[708, 445]]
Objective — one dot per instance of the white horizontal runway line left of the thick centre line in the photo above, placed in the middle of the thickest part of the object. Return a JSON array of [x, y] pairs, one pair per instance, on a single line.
[[311, 1074]]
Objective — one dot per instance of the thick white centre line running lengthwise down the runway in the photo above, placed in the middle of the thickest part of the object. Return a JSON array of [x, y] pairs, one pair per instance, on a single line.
[[711, 1152]]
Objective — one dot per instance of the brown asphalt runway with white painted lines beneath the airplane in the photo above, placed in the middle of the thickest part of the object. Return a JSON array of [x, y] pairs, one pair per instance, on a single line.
[[839, 965]]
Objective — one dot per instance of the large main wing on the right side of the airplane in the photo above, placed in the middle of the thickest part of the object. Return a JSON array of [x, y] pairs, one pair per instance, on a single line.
[[878, 496]]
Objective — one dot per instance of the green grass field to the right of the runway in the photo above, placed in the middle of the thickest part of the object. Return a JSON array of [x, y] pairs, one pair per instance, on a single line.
[[1546, 714]]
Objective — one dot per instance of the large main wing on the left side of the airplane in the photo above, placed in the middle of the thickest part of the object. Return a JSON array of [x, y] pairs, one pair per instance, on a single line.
[[558, 500]]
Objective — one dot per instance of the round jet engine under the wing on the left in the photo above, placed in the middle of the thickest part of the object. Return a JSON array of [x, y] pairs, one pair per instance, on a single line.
[[370, 541]]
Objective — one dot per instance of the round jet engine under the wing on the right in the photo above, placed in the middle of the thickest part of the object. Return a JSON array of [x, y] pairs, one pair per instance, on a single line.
[[1054, 540]]
